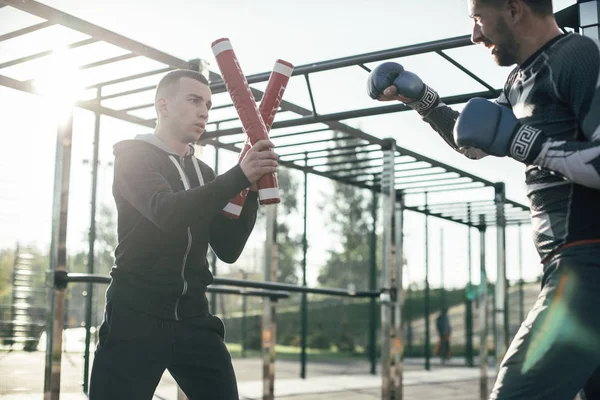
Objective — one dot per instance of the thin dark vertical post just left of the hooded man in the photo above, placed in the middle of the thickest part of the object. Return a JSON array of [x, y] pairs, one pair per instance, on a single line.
[[91, 251]]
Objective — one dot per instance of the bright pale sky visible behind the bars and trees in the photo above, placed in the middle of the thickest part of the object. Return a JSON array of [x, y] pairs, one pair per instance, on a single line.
[[261, 31]]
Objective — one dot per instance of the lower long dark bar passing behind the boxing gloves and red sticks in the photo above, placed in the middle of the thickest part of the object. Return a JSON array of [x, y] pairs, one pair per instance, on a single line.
[[344, 115]]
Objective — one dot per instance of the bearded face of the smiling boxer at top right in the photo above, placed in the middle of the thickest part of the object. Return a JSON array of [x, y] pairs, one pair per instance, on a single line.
[[493, 31]]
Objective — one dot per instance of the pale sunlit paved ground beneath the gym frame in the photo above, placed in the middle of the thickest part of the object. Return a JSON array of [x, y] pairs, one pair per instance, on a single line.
[[21, 378]]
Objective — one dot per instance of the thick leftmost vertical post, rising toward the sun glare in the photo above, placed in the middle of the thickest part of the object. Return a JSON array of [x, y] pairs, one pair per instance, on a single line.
[[58, 260]]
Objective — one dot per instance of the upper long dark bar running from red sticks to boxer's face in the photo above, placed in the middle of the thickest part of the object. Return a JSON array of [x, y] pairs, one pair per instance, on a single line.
[[420, 48]]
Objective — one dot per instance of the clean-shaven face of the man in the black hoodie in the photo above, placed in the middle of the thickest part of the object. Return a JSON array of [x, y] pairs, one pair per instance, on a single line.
[[188, 109]]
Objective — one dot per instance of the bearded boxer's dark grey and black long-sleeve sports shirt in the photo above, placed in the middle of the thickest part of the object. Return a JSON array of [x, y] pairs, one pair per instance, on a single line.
[[557, 90]]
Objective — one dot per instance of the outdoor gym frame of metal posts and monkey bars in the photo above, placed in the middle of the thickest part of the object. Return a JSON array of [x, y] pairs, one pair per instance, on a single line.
[[384, 168]]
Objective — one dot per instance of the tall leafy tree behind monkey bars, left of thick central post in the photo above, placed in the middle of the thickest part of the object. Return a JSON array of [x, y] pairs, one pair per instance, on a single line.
[[349, 217]]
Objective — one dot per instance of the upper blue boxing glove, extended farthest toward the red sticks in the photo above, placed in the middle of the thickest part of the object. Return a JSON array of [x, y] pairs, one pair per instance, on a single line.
[[407, 85]]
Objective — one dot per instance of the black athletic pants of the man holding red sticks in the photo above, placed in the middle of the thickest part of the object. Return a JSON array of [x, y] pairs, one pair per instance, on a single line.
[[135, 349]]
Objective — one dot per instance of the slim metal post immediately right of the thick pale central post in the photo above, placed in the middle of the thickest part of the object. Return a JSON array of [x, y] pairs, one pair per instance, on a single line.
[[398, 347]]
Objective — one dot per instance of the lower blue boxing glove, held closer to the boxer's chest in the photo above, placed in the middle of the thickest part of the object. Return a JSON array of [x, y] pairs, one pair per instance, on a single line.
[[493, 128]]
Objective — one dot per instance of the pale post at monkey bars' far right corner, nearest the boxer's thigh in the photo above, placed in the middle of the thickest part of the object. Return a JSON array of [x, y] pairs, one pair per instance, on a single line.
[[500, 301]]
